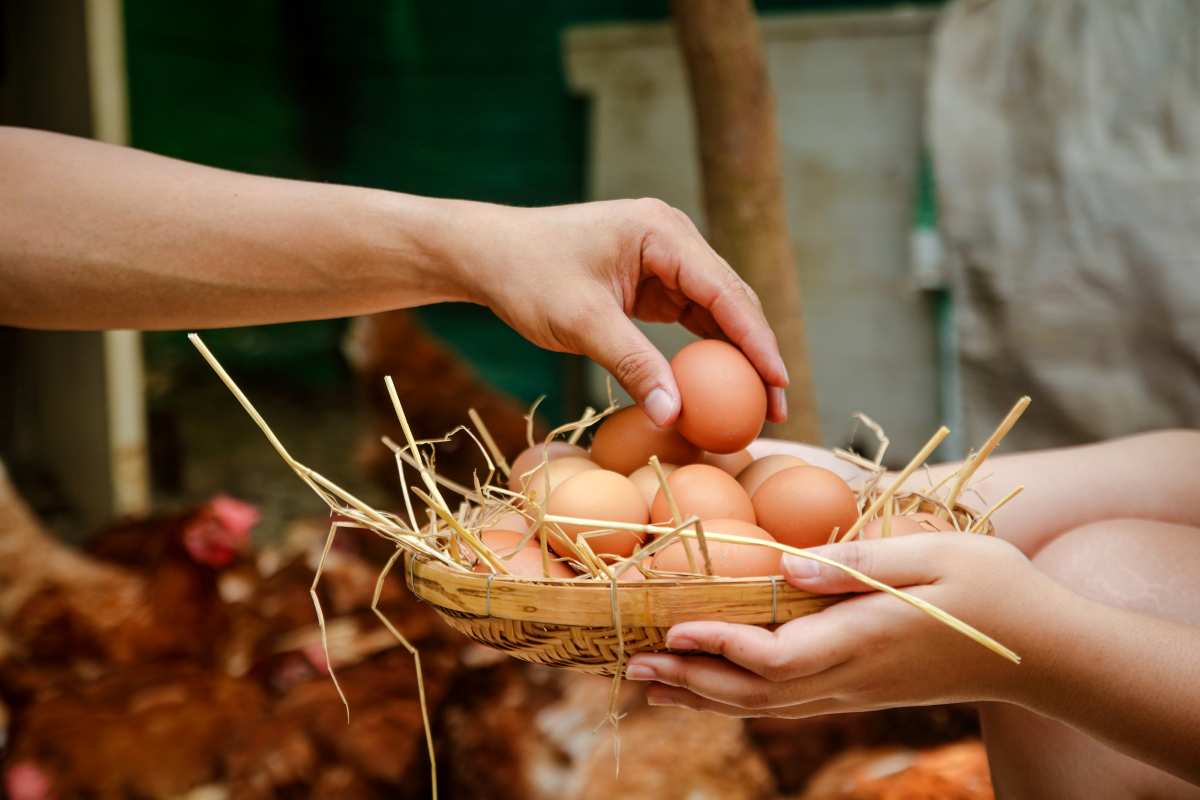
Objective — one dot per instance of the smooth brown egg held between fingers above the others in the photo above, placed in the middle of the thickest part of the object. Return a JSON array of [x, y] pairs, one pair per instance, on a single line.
[[724, 402]]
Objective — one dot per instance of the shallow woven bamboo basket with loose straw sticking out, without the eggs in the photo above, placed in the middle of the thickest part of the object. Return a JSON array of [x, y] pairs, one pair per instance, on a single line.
[[596, 621]]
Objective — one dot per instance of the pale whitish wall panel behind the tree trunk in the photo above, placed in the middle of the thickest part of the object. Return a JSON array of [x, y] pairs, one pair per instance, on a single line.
[[850, 93]]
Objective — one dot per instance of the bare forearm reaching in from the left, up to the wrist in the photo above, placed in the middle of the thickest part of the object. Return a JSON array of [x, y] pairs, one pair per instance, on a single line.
[[98, 237]]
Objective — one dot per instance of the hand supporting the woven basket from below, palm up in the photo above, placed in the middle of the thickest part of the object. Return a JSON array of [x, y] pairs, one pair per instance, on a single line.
[[872, 652]]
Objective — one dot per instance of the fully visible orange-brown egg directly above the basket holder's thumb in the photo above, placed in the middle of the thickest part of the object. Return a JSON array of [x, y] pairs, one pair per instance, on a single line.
[[802, 506]]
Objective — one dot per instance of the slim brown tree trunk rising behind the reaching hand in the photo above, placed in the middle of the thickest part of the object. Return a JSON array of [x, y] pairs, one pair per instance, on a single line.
[[743, 178]]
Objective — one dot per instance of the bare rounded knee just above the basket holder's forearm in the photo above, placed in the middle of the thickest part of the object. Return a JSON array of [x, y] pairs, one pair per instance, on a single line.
[[1145, 567]]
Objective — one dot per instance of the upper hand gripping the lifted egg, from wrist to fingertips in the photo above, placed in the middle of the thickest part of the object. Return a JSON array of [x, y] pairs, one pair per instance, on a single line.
[[571, 279]]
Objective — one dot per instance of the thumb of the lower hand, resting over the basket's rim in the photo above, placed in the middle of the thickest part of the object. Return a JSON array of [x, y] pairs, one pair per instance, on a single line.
[[901, 562]]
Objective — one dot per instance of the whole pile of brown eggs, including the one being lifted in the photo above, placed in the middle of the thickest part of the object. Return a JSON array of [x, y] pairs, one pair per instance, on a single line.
[[707, 467]]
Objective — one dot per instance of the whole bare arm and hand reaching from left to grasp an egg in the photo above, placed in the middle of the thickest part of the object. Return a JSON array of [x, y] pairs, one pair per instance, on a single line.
[[95, 237]]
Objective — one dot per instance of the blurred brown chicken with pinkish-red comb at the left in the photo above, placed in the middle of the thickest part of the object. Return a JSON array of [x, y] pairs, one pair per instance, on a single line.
[[148, 590]]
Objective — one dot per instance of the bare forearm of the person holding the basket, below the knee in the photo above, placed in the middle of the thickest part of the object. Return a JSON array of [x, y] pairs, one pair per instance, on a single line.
[[1127, 679]]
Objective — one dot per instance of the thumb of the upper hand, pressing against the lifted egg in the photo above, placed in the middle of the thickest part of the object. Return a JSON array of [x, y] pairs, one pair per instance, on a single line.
[[619, 346]]
